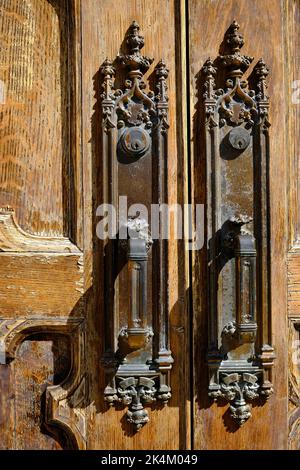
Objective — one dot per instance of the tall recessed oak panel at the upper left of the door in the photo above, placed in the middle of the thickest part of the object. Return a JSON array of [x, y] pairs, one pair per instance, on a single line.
[[34, 110]]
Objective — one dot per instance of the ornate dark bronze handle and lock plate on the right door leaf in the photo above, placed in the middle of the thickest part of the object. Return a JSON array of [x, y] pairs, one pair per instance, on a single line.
[[240, 355]]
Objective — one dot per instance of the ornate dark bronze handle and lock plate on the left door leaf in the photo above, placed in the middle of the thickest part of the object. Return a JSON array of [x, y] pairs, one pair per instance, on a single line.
[[137, 358]]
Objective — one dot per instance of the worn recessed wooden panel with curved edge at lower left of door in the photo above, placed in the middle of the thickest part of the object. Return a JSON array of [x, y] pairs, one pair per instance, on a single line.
[[40, 362]]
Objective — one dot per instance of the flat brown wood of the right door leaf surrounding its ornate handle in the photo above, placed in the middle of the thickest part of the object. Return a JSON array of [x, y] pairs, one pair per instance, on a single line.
[[212, 428]]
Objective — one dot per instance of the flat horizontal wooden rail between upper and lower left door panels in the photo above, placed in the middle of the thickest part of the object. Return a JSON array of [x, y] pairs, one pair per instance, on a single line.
[[40, 284]]
